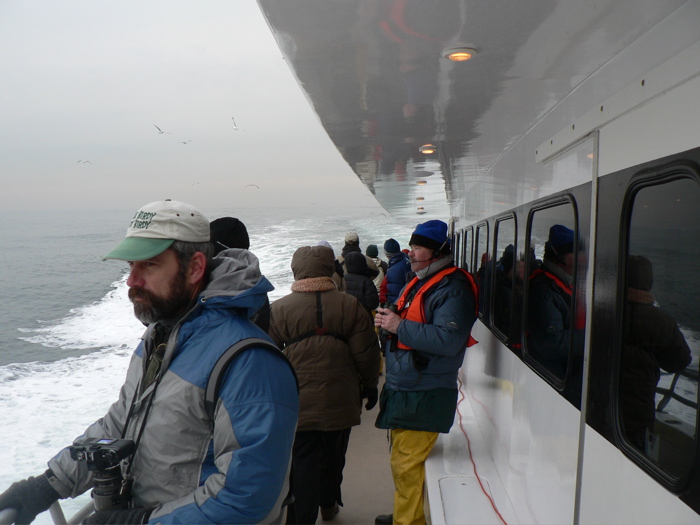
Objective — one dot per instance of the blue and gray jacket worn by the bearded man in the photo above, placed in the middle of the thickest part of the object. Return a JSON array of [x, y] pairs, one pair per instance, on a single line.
[[188, 468]]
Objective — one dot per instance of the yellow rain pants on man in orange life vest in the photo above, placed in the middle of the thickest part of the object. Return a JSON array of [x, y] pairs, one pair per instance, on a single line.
[[409, 450]]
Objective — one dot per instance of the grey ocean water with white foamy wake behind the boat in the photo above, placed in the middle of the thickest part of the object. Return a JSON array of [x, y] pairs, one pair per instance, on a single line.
[[67, 330]]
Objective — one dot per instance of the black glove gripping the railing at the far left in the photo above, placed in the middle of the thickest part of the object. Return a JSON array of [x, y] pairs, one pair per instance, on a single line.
[[29, 497]]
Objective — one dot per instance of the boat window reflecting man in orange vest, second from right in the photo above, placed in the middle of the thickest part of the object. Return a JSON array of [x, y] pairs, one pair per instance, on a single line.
[[555, 317]]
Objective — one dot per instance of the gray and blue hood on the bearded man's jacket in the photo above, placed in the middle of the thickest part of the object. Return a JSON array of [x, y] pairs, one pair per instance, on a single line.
[[236, 282]]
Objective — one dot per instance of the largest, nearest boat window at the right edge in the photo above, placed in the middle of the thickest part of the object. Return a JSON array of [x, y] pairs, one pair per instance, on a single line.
[[658, 381]]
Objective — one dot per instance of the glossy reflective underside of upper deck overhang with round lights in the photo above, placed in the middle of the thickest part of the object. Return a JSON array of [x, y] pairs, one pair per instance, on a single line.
[[376, 75]]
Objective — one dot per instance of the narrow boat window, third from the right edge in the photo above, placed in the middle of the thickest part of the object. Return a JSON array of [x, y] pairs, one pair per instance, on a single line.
[[504, 276]]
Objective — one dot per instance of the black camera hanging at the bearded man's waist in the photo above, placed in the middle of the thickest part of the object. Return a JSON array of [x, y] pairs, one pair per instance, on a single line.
[[103, 457]]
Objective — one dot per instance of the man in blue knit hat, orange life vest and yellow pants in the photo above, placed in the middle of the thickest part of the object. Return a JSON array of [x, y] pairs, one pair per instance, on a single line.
[[430, 333]]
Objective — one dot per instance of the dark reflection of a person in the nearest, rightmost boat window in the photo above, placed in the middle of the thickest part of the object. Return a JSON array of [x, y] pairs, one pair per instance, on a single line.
[[652, 340]]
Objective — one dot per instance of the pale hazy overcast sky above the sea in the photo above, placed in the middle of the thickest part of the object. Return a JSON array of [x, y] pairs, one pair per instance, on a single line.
[[85, 83]]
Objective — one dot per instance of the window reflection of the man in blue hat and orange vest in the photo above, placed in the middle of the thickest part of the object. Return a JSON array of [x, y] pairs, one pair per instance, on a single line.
[[549, 322]]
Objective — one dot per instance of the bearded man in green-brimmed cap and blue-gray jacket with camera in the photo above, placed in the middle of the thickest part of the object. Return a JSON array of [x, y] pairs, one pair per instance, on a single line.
[[190, 465]]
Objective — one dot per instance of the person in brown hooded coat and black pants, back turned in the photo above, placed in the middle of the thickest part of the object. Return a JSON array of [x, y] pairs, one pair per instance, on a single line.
[[330, 340]]
